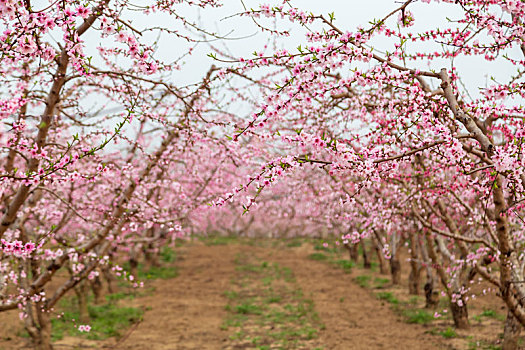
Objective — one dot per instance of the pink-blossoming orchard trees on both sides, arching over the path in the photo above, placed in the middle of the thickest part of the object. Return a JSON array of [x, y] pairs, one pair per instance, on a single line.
[[371, 134]]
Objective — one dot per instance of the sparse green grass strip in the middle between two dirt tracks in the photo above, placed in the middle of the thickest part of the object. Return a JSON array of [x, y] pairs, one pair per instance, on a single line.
[[267, 307]]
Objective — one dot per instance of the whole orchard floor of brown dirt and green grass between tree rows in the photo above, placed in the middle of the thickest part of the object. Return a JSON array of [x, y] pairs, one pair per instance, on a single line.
[[263, 295]]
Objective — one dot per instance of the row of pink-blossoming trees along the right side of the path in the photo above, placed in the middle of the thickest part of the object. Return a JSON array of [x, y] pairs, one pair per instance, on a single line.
[[411, 151]]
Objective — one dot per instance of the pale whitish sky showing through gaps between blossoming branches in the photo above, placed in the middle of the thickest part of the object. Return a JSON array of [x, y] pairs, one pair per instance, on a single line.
[[244, 36]]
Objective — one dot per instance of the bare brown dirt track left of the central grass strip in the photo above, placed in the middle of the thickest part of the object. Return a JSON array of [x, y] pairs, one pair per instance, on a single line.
[[186, 312]]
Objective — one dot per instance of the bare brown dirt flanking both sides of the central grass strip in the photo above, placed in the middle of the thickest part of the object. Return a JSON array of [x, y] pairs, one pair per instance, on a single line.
[[187, 312]]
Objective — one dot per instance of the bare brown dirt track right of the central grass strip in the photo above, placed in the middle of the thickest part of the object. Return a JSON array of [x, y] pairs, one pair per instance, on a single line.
[[354, 318]]
